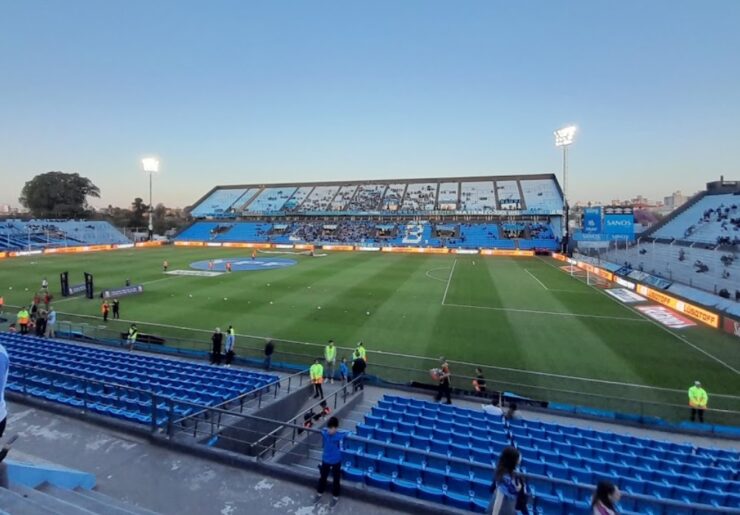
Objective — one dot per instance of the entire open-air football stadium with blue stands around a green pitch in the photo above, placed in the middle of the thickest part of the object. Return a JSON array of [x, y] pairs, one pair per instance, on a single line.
[[475, 269]]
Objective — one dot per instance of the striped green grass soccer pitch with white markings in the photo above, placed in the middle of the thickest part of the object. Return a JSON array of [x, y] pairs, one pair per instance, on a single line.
[[524, 314]]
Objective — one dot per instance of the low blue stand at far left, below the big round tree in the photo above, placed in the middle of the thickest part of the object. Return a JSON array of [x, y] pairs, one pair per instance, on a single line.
[[39, 234]]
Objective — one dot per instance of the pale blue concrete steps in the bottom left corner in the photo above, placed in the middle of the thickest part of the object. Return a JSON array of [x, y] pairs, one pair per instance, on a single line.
[[48, 499]]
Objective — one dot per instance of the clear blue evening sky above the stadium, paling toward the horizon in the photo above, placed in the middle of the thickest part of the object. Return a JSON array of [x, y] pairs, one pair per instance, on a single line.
[[236, 91]]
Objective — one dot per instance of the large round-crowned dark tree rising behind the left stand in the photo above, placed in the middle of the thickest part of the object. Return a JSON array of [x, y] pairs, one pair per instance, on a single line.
[[58, 195]]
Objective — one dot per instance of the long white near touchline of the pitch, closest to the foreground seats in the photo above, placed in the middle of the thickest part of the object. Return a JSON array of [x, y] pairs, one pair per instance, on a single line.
[[508, 369]]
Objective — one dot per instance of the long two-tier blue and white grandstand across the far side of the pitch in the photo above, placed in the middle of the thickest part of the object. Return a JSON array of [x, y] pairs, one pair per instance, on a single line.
[[404, 213]]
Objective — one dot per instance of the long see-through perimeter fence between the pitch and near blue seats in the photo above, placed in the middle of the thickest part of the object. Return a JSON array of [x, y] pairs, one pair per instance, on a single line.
[[634, 399]]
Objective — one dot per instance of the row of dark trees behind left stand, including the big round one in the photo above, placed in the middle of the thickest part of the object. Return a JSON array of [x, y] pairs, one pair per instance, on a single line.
[[64, 195]]
